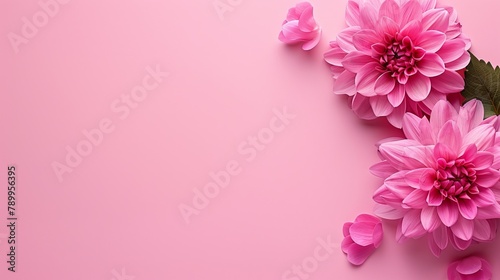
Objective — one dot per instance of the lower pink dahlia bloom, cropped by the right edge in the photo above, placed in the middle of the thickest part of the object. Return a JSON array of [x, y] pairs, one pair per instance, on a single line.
[[442, 181]]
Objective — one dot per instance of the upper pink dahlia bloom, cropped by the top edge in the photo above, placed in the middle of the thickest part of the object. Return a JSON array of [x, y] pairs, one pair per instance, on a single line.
[[398, 56]]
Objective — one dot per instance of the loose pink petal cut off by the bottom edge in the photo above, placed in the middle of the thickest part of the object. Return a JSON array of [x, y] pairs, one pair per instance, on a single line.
[[470, 268]]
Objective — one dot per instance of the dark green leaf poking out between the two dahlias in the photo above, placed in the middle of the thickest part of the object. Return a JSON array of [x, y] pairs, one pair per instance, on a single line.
[[482, 82]]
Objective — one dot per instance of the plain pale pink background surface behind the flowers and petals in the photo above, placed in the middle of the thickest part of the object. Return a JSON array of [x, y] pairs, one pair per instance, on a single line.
[[119, 208]]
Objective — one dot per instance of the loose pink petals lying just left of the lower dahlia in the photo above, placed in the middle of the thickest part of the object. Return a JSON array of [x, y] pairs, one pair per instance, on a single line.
[[361, 238]]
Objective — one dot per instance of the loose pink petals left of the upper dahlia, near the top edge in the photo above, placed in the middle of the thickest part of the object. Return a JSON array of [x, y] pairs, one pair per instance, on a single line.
[[300, 27]]
